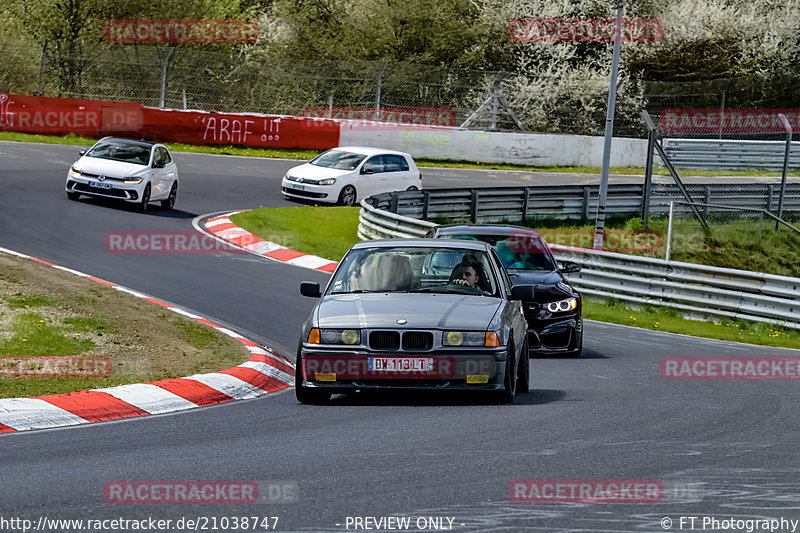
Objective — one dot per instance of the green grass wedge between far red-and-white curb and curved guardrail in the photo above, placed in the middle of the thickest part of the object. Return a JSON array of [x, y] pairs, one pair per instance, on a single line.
[[324, 231]]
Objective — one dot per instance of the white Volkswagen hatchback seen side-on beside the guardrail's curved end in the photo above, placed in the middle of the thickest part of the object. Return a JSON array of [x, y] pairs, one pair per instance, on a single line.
[[347, 174]]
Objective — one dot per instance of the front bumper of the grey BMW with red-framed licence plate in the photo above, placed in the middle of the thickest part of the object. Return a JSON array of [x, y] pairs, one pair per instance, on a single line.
[[344, 371]]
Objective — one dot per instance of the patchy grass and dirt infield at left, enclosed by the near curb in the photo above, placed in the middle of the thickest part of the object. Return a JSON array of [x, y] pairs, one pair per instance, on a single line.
[[47, 312]]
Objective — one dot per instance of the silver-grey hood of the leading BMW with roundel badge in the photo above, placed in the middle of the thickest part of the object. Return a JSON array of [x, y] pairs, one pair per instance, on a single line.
[[424, 311]]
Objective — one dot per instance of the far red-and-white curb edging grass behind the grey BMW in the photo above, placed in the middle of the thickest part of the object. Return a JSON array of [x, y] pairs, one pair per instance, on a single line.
[[222, 227]]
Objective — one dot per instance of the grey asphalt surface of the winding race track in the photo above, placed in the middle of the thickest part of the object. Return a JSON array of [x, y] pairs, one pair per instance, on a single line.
[[720, 448]]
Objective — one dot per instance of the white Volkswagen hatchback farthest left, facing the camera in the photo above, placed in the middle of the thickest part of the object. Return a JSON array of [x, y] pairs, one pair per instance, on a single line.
[[134, 171]]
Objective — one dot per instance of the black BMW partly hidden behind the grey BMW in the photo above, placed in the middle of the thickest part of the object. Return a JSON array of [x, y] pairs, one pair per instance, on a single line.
[[555, 321]]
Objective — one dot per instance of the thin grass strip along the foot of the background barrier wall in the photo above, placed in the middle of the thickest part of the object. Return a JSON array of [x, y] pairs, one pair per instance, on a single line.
[[423, 162]]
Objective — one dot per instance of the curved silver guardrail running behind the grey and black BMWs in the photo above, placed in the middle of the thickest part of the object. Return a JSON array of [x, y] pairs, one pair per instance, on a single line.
[[692, 289]]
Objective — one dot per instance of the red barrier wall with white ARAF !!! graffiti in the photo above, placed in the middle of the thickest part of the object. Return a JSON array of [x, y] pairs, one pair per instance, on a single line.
[[93, 118]]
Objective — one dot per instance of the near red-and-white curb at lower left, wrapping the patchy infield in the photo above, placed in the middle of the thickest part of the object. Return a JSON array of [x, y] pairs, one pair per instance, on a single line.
[[265, 372]]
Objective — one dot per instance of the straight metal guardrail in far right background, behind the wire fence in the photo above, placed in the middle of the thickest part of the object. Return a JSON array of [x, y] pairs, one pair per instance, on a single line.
[[722, 154]]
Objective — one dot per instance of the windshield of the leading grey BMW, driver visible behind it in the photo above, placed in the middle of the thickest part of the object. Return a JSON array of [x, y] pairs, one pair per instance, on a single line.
[[415, 269]]
